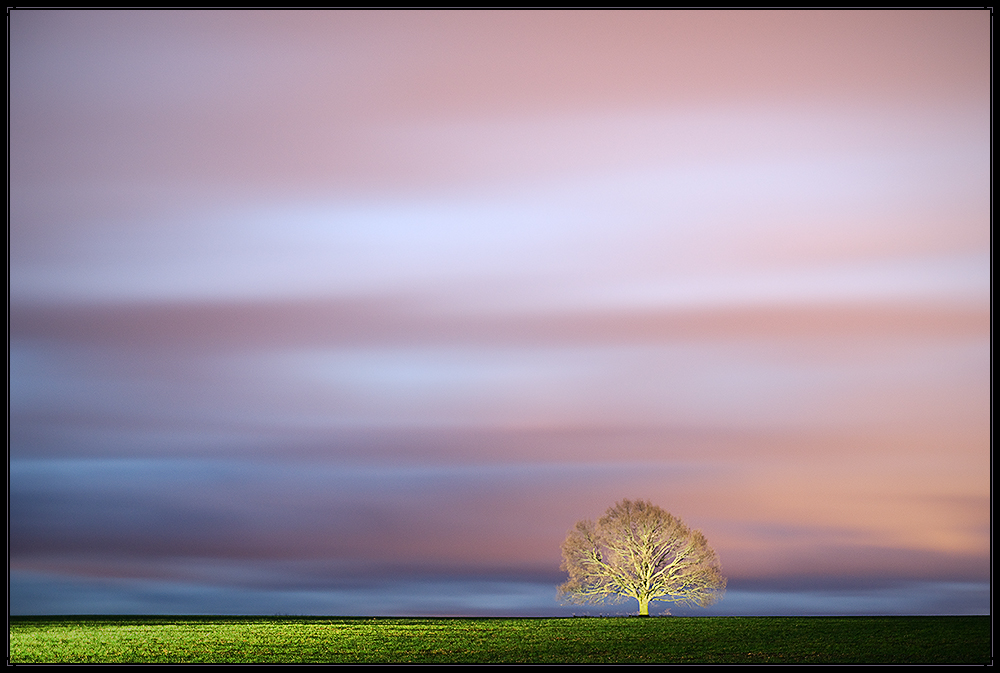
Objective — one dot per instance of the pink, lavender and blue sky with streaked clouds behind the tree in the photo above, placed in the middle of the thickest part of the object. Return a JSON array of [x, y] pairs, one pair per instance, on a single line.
[[359, 312]]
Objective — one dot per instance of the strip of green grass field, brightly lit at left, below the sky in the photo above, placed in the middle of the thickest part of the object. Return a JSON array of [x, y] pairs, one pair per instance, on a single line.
[[97, 639]]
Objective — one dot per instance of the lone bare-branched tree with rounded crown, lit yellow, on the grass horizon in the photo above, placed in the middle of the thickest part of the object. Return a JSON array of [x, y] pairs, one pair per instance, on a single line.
[[640, 551]]
